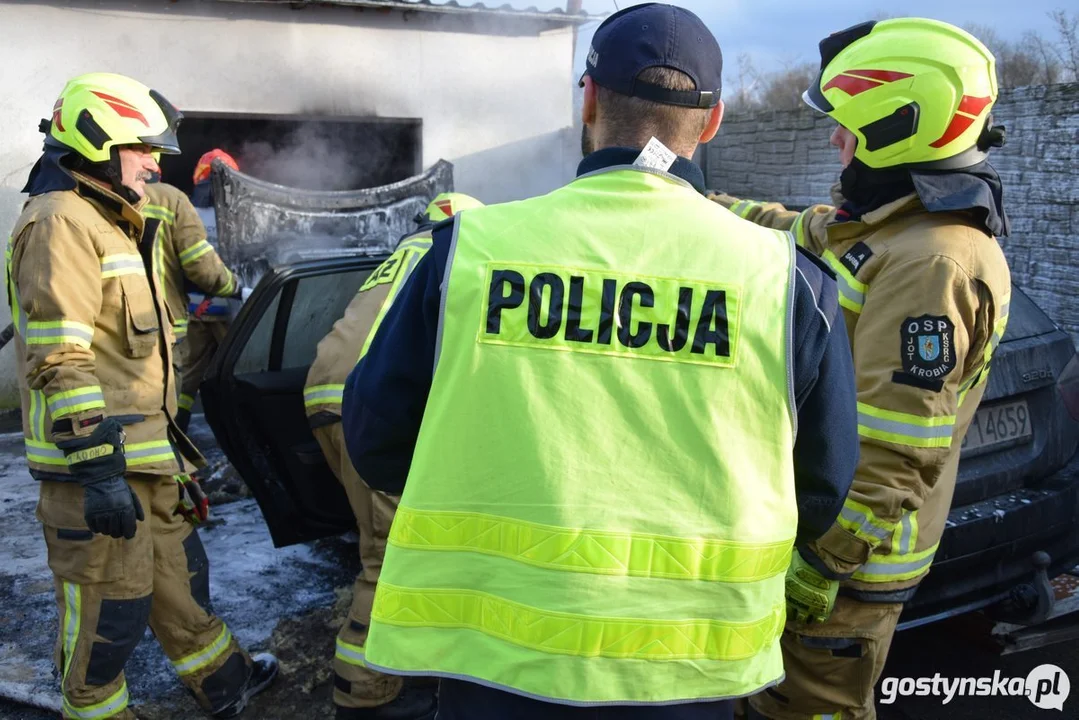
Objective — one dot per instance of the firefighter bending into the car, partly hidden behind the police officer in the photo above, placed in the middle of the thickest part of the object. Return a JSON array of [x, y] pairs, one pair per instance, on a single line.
[[360, 692]]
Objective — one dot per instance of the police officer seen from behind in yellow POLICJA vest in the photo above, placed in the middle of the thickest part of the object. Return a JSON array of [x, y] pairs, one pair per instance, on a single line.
[[593, 397]]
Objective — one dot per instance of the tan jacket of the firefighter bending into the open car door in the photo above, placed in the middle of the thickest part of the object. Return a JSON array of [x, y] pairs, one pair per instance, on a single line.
[[346, 345]]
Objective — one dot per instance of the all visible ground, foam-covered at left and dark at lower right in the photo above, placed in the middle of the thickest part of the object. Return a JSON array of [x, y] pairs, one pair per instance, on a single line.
[[292, 602]]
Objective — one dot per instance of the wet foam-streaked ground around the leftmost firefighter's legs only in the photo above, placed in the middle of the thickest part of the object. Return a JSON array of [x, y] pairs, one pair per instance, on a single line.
[[290, 602]]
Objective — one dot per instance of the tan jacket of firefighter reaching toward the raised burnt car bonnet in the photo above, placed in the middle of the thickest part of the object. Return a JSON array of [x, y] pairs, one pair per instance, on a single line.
[[181, 251]]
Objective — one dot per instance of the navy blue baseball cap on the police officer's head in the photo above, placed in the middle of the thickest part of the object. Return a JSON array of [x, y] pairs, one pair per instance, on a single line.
[[657, 35]]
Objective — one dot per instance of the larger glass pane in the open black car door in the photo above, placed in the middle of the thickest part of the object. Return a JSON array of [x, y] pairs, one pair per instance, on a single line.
[[319, 303]]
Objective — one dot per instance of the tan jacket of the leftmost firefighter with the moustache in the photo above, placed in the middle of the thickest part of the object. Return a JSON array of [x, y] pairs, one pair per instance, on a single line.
[[91, 341]]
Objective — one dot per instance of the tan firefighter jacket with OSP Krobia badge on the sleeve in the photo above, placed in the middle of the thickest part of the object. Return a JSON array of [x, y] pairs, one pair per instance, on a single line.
[[925, 297]]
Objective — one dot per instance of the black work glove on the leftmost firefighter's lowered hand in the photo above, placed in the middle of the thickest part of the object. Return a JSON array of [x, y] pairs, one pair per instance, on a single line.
[[98, 463]]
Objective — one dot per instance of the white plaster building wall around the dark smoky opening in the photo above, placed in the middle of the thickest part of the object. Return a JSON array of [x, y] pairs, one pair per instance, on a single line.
[[495, 94]]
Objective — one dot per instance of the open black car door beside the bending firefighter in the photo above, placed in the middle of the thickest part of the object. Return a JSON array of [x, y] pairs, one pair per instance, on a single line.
[[254, 396]]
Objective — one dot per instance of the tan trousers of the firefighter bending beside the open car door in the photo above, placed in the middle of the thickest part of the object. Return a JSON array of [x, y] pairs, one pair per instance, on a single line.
[[354, 685]]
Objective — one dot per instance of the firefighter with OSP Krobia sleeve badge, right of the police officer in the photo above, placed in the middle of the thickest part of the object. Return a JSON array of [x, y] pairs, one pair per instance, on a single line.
[[925, 290]]
